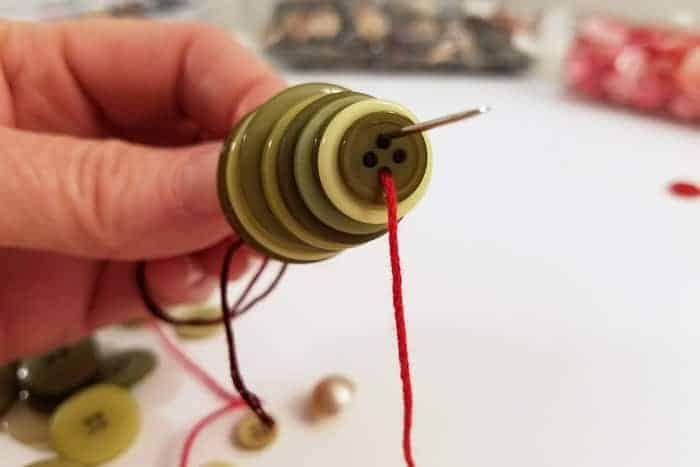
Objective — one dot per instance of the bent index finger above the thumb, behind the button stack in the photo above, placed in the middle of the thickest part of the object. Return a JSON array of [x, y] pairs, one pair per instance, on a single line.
[[99, 77]]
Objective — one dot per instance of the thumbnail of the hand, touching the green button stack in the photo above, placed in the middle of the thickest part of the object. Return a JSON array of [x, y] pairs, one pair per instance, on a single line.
[[199, 179]]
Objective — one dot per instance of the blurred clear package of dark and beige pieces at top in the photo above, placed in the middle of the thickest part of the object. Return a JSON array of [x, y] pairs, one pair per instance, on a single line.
[[399, 35]]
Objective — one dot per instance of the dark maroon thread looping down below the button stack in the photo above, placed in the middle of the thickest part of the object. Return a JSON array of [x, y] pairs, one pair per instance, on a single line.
[[228, 313]]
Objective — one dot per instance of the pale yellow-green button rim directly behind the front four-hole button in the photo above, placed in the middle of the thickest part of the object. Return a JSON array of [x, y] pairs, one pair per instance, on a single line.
[[339, 192]]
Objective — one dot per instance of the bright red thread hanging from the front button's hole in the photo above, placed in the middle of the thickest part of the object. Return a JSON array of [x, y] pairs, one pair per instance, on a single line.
[[402, 339]]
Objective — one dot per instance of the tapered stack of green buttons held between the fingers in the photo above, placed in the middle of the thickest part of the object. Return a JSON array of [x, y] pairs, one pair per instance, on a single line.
[[299, 177]]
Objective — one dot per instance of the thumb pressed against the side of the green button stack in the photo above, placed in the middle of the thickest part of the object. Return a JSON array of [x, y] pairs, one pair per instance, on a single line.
[[107, 199]]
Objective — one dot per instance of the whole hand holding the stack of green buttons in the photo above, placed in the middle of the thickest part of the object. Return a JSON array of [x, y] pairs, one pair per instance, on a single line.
[[110, 132]]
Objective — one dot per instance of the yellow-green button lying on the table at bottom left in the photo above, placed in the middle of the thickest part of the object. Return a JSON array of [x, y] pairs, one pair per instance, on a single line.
[[95, 425]]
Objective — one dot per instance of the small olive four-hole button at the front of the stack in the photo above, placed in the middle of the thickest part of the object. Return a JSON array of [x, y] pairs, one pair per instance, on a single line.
[[363, 154]]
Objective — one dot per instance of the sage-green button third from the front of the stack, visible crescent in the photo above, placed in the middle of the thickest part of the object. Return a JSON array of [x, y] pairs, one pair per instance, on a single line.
[[306, 172]]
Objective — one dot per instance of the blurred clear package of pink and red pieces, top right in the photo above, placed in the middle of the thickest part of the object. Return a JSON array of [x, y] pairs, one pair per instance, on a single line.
[[649, 68]]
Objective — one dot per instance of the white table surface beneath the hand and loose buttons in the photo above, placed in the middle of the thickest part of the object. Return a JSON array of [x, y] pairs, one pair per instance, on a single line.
[[553, 300]]
